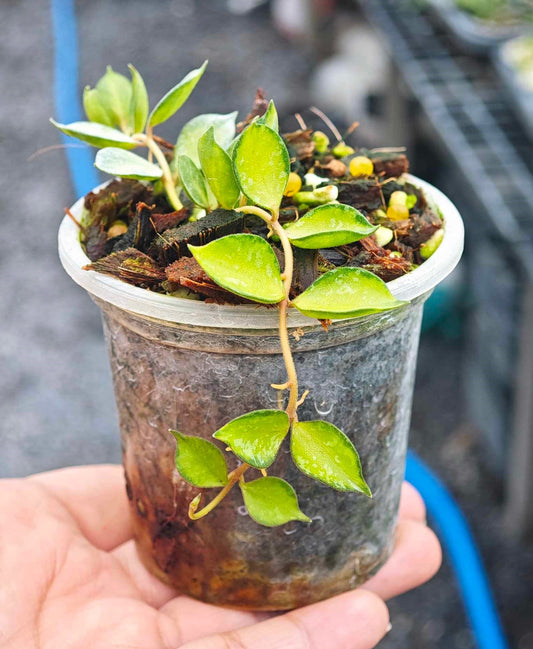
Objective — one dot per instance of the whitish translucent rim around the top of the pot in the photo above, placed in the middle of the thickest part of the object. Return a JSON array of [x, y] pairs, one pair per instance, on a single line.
[[193, 312]]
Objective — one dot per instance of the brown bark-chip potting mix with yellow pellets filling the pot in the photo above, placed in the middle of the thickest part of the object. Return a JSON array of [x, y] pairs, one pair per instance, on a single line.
[[130, 231]]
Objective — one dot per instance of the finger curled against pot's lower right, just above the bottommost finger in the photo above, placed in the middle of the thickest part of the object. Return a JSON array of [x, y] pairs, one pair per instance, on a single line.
[[416, 558]]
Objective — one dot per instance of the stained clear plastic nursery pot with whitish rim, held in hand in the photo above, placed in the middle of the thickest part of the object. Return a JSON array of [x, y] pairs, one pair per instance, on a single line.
[[193, 366]]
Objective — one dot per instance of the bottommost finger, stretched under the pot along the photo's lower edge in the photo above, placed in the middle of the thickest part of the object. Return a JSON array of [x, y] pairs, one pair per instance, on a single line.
[[354, 620]]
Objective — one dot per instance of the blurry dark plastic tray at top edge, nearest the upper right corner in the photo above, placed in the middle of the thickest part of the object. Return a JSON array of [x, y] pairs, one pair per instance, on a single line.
[[473, 35]]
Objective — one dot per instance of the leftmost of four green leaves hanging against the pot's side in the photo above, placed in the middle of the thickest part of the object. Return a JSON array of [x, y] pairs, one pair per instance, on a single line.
[[200, 462]]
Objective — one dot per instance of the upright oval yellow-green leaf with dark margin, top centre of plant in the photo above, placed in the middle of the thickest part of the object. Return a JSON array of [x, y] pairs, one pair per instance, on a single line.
[[262, 165]]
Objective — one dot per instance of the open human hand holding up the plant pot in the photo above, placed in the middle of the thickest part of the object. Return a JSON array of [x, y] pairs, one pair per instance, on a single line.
[[70, 578]]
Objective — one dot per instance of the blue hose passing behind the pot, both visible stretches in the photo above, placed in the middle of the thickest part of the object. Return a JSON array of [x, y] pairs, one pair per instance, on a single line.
[[450, 523]]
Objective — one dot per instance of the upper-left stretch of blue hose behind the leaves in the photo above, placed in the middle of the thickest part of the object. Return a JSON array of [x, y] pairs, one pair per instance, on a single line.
[[66, 94]]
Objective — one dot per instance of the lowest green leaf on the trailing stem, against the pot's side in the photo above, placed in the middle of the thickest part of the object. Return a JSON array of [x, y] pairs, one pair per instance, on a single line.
[[271, 502]]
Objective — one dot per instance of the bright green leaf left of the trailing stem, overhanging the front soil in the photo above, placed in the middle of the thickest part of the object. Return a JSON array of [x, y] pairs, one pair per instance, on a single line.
[[244, 264]]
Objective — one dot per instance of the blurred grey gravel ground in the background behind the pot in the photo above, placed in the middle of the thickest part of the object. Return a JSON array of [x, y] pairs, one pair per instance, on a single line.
[[57, 407]]
